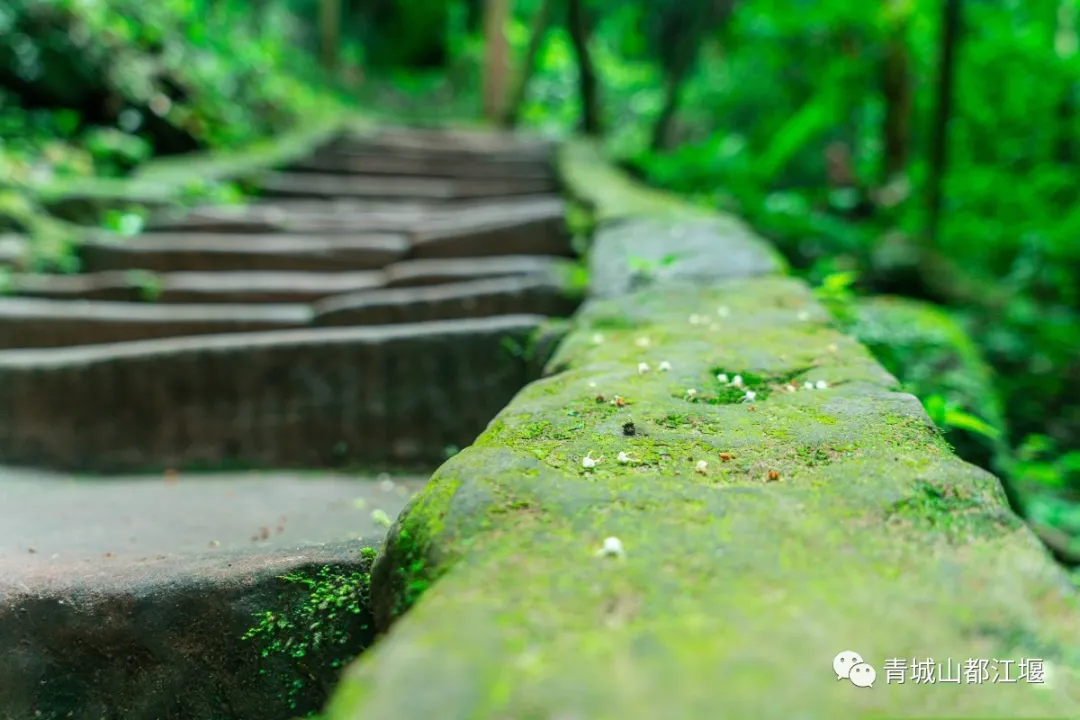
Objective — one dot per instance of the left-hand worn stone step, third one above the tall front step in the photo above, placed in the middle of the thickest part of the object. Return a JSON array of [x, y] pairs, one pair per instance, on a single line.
[[212, 252]]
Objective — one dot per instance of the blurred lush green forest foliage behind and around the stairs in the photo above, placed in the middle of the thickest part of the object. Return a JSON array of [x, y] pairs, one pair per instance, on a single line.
[[782, 117]]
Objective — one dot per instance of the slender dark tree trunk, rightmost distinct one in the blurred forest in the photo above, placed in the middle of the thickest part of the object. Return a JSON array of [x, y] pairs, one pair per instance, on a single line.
[[952, 18]]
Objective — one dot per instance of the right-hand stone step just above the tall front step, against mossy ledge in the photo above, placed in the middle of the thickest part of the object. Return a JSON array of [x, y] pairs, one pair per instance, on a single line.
[[483, 298]]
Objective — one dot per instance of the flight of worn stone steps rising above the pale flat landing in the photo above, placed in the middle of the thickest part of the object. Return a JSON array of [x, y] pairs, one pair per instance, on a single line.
[[364, 311]]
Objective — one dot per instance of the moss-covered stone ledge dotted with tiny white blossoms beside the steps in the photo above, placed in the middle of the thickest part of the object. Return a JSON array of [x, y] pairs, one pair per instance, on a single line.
[[763, 534]]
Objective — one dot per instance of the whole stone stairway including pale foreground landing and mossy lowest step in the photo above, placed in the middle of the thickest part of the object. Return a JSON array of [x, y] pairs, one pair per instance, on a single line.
[[374, 309]]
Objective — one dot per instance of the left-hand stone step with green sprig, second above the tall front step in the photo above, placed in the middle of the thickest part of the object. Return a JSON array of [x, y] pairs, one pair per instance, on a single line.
[[196, 288]]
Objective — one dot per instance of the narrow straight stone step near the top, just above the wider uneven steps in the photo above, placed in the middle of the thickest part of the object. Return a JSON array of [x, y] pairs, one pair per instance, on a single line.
[[313, 185]]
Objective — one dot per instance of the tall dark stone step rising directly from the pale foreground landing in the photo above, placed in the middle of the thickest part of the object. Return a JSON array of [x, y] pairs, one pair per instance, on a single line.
[[370, 397]]
